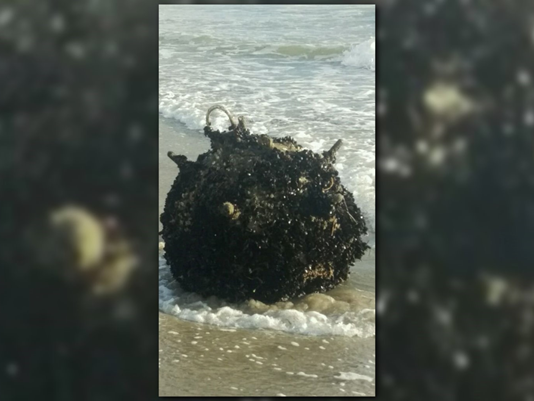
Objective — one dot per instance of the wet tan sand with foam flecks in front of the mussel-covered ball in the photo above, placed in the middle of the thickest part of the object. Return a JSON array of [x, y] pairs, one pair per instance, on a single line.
[[203, 360]]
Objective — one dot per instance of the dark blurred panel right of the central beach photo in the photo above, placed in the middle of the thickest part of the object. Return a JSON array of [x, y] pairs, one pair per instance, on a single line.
[[455, 200]]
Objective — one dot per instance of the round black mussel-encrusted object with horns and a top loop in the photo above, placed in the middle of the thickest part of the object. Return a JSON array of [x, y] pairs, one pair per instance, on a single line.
[[259, 217]]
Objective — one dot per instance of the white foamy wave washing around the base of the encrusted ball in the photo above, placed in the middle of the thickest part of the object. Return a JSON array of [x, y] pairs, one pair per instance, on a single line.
[[311, 317]]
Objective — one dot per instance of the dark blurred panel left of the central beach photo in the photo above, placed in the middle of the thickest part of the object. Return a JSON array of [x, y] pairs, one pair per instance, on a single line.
[[78, 200]]
